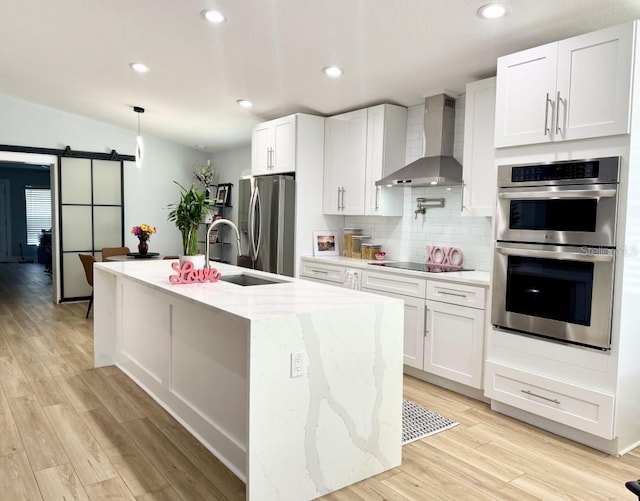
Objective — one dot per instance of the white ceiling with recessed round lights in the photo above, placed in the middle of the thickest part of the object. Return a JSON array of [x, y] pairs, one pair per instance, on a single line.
[[74, 55]]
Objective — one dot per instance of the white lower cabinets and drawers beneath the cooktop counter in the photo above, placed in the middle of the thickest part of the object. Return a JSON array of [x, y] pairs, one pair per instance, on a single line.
[[444, 322]]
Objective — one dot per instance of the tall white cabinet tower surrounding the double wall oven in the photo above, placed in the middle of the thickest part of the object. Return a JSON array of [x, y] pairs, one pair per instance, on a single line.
[[590, 107]]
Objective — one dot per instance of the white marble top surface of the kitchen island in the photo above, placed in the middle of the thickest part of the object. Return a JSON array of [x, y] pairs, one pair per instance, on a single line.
[[292, 296]]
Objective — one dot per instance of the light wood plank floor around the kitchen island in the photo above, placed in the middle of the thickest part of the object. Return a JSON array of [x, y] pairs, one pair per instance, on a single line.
[[69, 431]]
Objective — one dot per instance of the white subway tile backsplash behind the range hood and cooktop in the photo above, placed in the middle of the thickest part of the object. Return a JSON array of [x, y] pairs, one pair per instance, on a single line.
[[406, 238]]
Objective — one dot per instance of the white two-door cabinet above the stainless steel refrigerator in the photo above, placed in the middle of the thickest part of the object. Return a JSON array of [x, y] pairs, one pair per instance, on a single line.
[[273, 146]]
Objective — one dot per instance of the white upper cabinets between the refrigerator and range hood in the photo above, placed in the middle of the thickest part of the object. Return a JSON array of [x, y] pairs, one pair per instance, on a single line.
[[361, 147]]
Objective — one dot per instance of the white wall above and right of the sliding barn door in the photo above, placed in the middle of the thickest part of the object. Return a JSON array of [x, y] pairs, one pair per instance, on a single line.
[[147, 191]]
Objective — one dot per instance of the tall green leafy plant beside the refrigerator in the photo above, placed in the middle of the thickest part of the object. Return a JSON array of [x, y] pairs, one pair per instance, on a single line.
[[187, 214]]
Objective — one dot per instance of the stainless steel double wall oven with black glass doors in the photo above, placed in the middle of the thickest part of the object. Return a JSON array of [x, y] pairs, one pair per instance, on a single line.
[[554, 262]]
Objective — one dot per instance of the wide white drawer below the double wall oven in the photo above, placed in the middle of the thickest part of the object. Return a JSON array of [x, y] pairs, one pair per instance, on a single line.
[[581, 408]]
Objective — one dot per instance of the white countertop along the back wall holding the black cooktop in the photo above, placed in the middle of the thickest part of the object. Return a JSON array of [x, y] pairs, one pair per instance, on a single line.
[[481, 278]]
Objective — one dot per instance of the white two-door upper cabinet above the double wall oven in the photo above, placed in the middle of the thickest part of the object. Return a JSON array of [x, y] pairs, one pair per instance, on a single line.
[[573, 89]]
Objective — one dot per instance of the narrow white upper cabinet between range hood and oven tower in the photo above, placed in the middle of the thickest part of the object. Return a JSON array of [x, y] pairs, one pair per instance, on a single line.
[[478, 169]]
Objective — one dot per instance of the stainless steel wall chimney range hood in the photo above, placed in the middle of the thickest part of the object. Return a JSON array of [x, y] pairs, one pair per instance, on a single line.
[[437, 167]]
